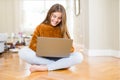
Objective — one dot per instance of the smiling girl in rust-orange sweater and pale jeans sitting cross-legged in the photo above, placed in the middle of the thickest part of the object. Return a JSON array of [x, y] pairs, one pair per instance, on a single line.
[[54, 25]]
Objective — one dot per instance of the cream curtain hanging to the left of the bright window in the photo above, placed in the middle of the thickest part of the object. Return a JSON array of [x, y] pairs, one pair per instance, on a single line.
[[10, 12]]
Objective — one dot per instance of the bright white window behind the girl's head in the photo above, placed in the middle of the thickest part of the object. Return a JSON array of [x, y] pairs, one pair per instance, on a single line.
[[35, 11]]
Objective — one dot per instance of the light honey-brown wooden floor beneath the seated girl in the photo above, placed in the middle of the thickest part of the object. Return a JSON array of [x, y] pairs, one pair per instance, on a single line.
[[92, 68]]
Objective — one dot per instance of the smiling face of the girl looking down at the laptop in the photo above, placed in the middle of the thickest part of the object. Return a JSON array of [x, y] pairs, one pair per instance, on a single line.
[[56, 18]]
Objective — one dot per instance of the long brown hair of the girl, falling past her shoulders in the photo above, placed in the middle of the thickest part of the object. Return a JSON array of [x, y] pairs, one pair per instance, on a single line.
[[62, 24]]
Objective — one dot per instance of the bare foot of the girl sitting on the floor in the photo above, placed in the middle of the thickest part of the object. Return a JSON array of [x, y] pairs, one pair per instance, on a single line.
[[34, 68]]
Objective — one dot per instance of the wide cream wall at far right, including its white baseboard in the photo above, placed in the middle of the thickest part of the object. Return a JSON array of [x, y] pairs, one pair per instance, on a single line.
[[103, 28]]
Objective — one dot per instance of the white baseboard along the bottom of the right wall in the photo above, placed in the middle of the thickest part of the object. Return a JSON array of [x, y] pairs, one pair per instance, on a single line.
[[113, 53]]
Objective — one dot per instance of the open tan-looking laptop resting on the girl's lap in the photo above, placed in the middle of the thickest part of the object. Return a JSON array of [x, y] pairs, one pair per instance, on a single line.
[[53, 47]]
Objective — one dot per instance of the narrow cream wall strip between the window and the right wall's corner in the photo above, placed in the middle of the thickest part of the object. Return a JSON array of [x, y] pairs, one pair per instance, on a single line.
[[80, 29]]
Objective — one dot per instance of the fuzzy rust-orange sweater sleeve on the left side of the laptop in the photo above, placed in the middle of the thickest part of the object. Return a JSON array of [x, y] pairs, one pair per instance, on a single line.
[[34, 38]]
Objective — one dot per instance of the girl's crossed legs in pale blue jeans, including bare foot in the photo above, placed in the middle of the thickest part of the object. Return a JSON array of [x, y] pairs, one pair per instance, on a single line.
[[43, 64]]
